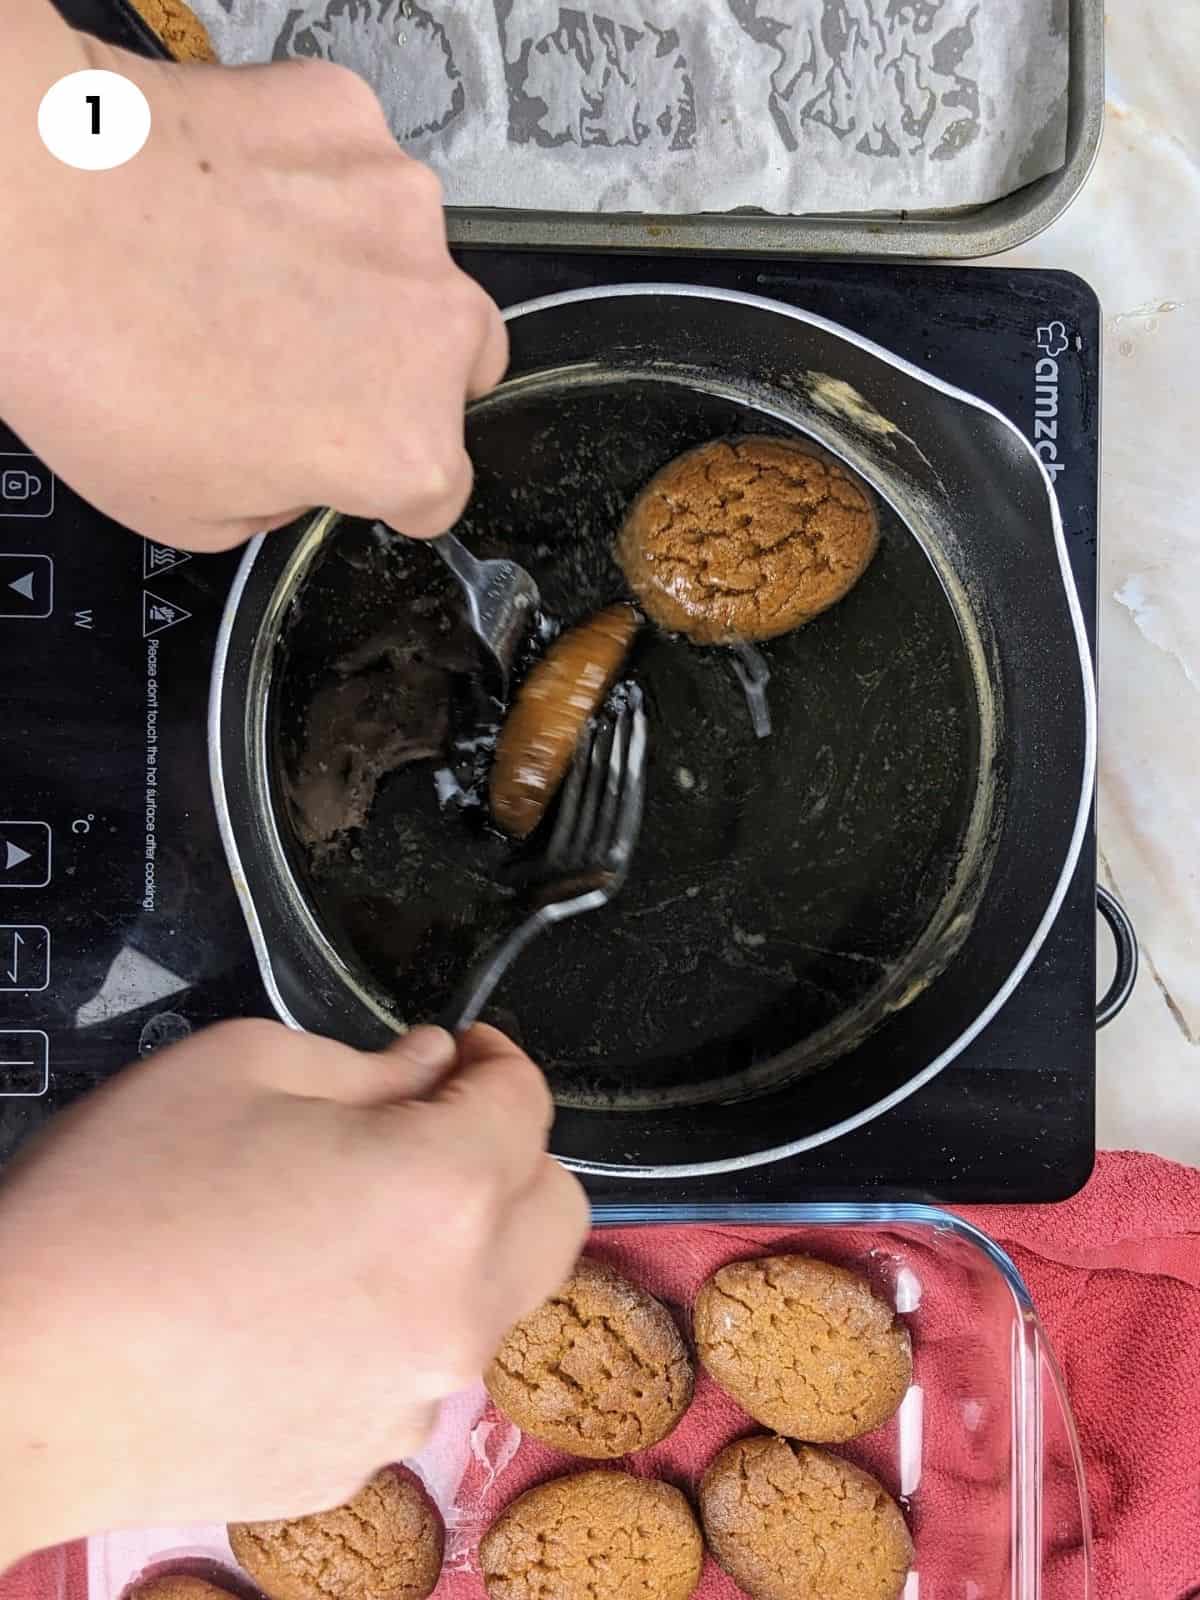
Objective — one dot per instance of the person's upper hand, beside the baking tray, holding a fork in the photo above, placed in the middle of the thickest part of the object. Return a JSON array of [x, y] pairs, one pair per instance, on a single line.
[[255, 316]]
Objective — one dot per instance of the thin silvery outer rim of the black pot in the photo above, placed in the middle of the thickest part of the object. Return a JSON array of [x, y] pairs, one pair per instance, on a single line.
[[1087, 774]]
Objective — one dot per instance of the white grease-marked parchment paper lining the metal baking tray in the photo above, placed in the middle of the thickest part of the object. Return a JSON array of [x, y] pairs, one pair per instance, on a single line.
[[681, 106]]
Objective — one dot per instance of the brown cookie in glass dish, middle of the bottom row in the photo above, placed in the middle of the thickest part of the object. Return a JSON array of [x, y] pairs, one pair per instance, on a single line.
[[594, 1537]]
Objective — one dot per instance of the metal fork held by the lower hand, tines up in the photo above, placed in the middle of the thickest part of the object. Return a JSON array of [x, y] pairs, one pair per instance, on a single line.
[[591, 846]]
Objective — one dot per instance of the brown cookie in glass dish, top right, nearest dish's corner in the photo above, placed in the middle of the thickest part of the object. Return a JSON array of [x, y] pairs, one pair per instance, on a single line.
[[806, 1348]]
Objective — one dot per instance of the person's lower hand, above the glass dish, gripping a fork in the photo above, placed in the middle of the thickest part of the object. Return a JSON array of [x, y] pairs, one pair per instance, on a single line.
[[239, 1278]]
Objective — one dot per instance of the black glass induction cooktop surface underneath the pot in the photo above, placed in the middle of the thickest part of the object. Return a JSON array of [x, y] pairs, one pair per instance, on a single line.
[[119, 927]]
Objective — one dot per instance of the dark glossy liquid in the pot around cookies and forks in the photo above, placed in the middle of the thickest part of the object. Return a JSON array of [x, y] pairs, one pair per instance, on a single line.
[[785, 889]]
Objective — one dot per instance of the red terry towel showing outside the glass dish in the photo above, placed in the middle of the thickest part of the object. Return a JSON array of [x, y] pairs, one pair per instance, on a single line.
[[1116, 1278]]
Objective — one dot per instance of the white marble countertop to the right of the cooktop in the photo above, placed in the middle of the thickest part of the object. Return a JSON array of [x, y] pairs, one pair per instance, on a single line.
[[1135, 236]]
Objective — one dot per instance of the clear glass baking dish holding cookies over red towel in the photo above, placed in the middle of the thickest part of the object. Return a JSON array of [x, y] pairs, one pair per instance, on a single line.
[[983, 1454]]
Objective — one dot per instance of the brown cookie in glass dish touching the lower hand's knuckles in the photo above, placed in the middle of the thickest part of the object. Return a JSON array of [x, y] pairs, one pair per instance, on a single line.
[[598, 1370]]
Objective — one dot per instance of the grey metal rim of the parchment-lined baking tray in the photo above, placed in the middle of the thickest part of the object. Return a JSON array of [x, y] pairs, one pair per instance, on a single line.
[[972, 231]]
